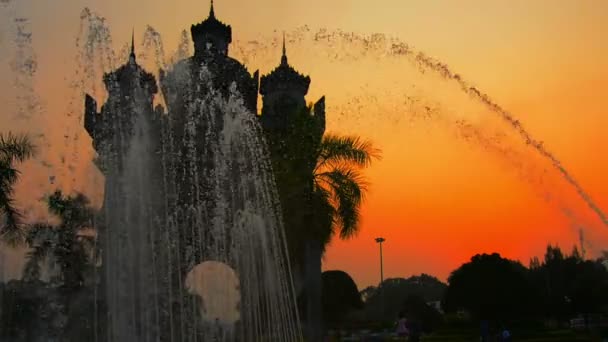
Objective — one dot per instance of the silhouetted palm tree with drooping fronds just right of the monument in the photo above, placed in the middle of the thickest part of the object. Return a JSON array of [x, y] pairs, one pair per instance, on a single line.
[[338, 189]]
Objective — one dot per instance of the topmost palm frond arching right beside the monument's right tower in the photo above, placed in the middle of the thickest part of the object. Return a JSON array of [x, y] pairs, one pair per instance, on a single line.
[[346, 149]]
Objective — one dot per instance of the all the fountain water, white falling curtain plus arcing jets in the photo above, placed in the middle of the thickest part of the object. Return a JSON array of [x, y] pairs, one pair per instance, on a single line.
[[181, 192]]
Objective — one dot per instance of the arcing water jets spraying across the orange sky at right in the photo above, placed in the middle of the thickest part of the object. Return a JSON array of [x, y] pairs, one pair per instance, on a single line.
[[345, 48]]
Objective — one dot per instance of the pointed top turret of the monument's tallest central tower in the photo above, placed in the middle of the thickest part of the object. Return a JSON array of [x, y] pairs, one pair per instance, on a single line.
[[211, 36]]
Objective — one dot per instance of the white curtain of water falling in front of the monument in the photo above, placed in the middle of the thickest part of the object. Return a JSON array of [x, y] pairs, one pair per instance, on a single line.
[[234, 222]]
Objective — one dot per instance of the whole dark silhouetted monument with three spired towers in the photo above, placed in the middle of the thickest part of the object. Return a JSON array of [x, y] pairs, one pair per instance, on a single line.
[[161, 181]]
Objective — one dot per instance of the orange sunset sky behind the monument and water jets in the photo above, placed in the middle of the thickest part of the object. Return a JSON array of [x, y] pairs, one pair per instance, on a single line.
[[435, 198]]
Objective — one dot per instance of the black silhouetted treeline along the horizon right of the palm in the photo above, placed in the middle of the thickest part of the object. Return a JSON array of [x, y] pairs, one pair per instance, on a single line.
[[557, 292]]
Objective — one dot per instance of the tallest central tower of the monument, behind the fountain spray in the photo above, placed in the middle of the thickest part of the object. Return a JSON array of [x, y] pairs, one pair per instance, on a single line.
[[196, 122]]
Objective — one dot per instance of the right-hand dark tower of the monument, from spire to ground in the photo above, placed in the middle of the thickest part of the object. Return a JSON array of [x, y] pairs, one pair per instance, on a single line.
[[294, 132]]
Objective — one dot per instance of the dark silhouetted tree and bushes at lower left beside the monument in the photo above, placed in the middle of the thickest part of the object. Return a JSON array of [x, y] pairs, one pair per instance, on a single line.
[[35, 310]]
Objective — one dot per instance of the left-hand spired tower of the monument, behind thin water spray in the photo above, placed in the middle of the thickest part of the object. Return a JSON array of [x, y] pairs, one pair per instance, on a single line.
[[124, 135]]
